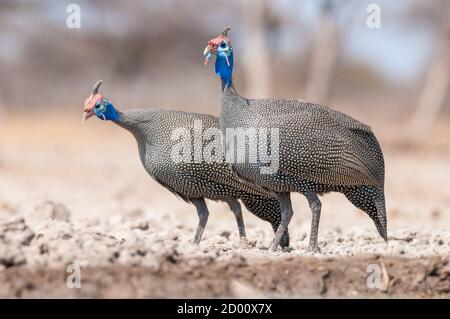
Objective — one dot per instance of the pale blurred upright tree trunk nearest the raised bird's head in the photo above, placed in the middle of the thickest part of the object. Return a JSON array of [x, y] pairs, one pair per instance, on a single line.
[[256, 63]]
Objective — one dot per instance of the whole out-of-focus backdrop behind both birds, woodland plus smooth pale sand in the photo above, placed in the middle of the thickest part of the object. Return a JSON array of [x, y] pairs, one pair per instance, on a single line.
[[392, 73]]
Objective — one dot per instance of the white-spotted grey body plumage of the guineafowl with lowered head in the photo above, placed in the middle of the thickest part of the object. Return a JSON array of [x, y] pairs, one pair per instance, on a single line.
[[194, 181]]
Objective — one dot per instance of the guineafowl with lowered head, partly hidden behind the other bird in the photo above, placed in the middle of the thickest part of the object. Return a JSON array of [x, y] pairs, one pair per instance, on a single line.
[[163, 136]]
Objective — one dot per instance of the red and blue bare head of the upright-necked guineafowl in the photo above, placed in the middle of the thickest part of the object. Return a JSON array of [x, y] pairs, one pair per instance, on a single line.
[[221, 47]]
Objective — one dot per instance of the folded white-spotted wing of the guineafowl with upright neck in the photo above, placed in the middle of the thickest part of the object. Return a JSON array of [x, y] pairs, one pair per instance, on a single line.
[[324, 146]]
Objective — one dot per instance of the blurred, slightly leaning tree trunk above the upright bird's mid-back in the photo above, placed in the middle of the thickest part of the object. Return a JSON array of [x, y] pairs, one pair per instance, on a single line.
[[323, 55]]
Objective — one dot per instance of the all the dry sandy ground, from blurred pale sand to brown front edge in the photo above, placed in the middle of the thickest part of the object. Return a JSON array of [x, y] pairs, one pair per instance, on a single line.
[[73, 195]]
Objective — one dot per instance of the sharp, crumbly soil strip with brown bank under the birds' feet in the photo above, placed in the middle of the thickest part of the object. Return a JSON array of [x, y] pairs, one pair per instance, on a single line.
[[139, 260]]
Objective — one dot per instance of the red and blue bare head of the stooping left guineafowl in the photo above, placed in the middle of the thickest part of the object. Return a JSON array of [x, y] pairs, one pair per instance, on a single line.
[[96, 104]]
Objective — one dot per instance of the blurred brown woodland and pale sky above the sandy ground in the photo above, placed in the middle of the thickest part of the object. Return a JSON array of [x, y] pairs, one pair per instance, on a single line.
[[326, 51]]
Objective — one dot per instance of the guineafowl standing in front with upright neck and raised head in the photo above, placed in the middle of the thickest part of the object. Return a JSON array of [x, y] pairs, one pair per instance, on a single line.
[[317, 149]]
